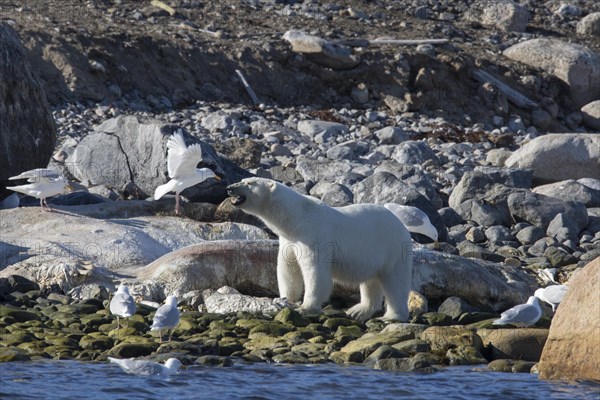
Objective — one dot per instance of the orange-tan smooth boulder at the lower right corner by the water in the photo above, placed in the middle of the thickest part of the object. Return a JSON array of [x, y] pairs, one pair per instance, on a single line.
[[573, 347]]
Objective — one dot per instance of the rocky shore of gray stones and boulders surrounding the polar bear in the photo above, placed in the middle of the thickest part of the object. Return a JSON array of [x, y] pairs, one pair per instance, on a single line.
[[498, 146]]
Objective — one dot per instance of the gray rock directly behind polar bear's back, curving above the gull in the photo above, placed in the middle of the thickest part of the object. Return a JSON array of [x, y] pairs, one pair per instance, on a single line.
[[383, 187]]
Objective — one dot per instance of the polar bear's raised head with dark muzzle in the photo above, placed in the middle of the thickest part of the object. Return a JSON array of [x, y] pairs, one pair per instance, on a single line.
[[251, 194]]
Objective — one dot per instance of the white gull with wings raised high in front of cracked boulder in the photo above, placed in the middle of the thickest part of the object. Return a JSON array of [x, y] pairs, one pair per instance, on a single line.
[[181, 166]]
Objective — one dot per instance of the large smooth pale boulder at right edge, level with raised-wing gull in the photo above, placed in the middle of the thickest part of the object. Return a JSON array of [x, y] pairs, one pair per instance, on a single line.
[[558, 157]]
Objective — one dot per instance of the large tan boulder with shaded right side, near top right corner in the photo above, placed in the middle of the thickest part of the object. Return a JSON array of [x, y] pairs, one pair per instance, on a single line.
[[576, 65]]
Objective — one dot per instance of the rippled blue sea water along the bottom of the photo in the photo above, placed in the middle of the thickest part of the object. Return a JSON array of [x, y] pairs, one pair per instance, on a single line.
[[95, 380]]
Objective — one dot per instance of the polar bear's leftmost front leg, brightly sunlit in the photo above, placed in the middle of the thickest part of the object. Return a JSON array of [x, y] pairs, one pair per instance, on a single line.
[[289, 276]]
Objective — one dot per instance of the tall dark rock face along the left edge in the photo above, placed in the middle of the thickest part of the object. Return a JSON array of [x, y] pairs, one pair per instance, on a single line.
[[27, 129]]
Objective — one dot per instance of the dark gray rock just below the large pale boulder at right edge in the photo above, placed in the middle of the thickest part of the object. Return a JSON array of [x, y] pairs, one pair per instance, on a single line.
[[539, 210]]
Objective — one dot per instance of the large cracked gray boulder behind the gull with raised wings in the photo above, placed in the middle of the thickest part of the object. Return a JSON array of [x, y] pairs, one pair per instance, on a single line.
[[127, 149]]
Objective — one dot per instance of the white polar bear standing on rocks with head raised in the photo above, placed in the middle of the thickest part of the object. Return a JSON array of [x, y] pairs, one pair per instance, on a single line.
[[361, 244]]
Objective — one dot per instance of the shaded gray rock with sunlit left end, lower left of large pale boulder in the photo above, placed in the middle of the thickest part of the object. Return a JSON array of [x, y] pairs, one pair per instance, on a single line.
[[476, 184]]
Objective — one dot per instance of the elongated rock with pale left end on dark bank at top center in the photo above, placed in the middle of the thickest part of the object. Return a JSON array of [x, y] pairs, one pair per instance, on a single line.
[[321, 51]]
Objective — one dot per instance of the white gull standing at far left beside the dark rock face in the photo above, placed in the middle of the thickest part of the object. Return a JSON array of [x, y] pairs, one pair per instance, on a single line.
[[43, 183]]
